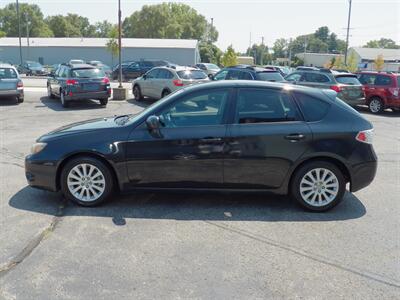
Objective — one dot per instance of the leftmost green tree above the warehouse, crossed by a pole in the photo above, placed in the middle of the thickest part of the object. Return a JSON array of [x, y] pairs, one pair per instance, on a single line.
[[32, 12]]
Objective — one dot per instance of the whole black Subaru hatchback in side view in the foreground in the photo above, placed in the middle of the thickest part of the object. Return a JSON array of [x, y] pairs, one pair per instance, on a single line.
[[238, 135]]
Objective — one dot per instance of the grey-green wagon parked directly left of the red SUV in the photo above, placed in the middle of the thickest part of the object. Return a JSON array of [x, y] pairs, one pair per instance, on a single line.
[[347, 86]]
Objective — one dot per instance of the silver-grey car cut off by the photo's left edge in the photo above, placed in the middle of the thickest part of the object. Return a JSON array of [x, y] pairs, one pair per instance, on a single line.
[[10, 83]]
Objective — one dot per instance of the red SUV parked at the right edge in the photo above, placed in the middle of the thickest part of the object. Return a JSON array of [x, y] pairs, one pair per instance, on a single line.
[[382, 90]]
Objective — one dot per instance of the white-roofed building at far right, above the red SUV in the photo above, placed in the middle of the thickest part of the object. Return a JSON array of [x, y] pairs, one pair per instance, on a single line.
[[366, 56]]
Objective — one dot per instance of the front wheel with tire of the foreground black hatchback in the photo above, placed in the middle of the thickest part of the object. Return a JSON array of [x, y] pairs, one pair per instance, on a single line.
[[86, 181]]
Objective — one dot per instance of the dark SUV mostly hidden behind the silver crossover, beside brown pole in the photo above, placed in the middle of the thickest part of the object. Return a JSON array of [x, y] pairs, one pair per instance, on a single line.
[[138, 68]]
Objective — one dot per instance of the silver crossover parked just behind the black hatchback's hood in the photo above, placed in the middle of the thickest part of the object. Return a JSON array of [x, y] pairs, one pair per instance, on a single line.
[[161, 81]]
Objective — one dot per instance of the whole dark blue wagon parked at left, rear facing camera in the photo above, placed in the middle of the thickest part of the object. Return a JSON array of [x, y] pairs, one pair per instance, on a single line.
[[76, 82]]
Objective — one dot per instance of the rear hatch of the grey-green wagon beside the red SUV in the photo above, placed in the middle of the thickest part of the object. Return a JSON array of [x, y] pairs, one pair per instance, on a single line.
[[349, 87]]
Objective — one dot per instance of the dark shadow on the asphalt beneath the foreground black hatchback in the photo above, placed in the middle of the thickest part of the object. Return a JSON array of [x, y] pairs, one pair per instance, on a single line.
[[189, 206]]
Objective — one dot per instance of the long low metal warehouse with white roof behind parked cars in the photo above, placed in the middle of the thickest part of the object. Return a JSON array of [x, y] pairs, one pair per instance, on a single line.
[[50, 51]]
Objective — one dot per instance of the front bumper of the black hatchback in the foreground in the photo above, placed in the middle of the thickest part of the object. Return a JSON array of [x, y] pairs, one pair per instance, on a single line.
[[41, 174]]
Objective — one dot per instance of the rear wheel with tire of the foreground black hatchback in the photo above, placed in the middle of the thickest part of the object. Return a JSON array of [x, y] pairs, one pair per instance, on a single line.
[[318, 186]]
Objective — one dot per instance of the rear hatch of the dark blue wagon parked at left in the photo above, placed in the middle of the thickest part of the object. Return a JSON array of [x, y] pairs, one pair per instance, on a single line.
[[88, 80]]
